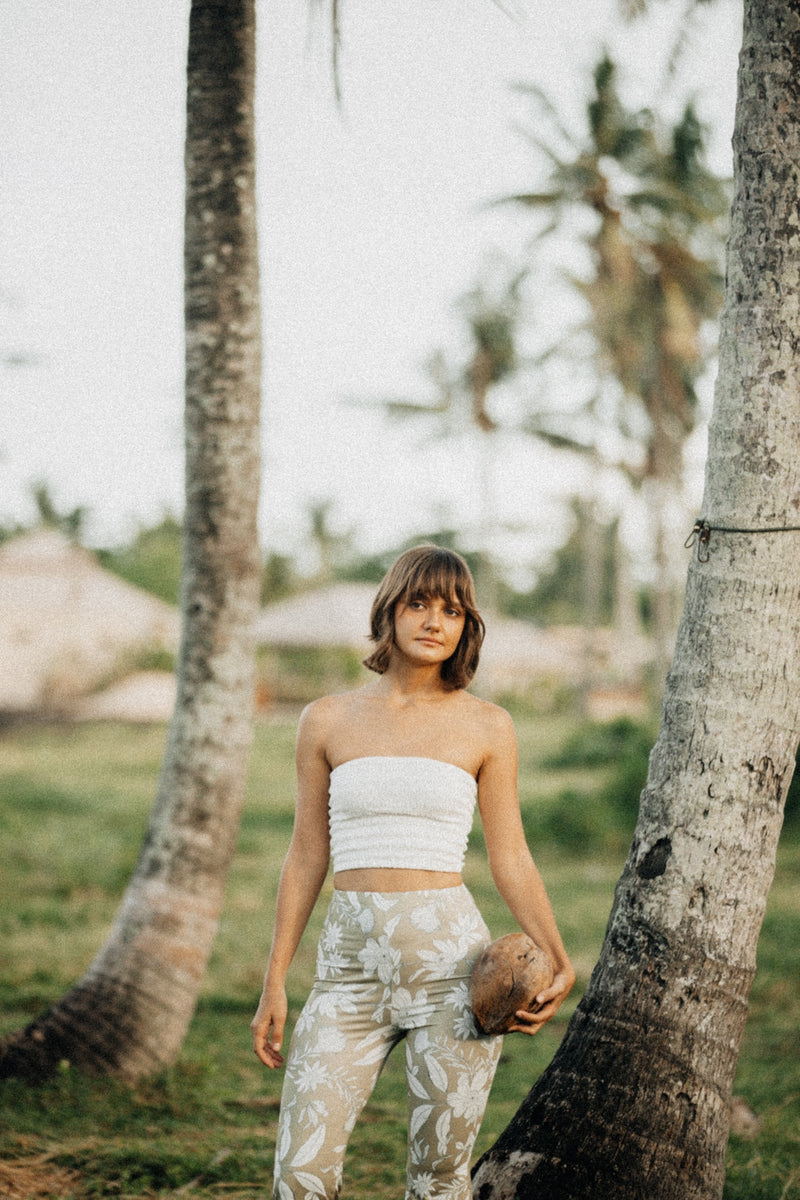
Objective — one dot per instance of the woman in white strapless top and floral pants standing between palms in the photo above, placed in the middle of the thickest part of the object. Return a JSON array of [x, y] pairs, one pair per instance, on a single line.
[[388, 777]]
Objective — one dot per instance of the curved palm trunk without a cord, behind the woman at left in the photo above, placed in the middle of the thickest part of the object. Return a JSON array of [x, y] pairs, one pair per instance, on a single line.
[[129, 1015]]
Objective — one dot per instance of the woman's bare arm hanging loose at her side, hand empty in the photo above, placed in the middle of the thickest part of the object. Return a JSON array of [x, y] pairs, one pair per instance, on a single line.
[[302, 880]]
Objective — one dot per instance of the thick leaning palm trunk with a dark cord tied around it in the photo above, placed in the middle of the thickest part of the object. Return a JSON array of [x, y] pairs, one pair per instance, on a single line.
[[636, 1102]]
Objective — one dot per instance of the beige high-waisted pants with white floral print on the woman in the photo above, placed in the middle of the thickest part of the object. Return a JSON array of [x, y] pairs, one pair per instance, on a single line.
[[392, 967]]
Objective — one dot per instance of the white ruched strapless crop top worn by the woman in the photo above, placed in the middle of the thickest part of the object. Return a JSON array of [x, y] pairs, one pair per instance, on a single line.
[[401, 812]]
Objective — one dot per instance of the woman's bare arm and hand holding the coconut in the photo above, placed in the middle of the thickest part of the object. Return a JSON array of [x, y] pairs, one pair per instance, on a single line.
[[513, 867]]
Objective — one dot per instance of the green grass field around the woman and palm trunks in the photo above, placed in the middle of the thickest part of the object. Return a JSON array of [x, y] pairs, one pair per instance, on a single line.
[[74, 803]]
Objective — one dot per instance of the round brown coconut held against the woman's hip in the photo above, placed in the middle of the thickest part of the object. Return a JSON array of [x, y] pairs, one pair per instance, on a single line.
[[508, 977]]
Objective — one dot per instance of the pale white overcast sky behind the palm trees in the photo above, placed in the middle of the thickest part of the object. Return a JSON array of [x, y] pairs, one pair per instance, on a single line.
[[371, 225]]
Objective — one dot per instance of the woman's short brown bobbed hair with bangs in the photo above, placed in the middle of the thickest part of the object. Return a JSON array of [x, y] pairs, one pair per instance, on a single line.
[[429, 572]]
